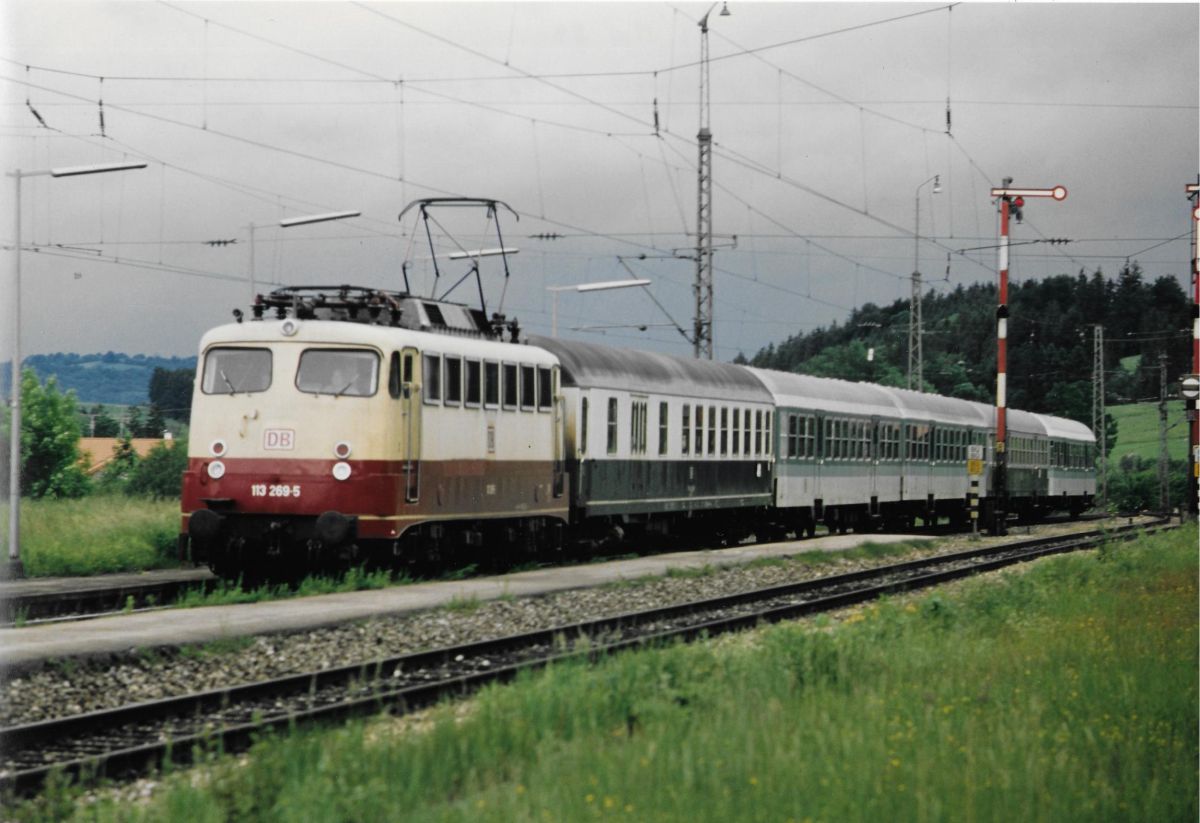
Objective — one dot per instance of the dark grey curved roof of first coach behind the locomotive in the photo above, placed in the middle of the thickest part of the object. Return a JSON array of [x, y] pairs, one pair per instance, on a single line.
[[591, 367]]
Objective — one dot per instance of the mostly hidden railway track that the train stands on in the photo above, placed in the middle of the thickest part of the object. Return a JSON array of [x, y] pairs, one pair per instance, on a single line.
[[80, 599]]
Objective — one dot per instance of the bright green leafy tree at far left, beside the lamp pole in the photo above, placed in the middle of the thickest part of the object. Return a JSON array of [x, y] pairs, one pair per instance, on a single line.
[[50, 441]]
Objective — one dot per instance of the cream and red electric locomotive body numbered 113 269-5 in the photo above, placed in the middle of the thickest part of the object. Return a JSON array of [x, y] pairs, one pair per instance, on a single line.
[[316, 443]]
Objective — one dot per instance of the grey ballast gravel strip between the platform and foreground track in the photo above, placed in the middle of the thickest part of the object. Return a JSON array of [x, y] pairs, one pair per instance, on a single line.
[[74, 687]]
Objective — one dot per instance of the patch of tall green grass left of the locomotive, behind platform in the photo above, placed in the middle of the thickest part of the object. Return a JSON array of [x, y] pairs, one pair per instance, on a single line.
[[97, 536]]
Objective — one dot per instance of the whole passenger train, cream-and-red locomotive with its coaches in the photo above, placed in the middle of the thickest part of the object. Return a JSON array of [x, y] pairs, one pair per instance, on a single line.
[[343, 425]]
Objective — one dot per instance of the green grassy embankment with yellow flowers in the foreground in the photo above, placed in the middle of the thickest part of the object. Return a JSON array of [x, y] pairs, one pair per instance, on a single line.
[[1064, 692]]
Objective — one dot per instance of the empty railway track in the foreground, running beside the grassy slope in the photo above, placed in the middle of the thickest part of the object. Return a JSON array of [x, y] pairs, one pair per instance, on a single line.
[[135, 740]]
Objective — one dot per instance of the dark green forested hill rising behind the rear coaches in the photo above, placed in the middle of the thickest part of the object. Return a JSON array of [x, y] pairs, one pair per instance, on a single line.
[[1051, 341]]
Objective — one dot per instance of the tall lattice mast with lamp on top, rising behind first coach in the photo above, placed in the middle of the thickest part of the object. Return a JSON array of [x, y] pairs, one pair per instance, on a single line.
[[703, 329]]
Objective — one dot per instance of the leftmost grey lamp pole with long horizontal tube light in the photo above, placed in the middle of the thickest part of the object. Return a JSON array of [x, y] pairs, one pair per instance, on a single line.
[[14, 568]]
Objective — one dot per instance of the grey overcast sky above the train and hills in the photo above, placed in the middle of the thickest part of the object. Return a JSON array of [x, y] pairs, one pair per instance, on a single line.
[[826, 121]]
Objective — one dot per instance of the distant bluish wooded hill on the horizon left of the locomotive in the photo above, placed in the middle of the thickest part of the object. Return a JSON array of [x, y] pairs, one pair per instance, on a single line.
[[105, 379]]
